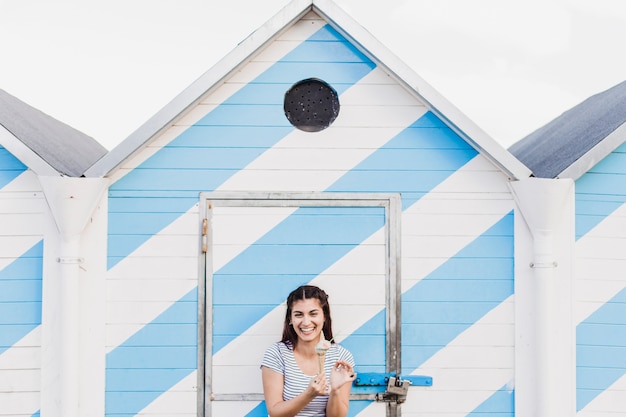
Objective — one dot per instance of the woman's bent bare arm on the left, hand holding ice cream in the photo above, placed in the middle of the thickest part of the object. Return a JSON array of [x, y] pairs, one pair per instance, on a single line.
[[273, 384]]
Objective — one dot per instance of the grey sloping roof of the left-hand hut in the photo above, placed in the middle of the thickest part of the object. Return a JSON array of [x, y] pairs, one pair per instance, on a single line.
[[44, 144]]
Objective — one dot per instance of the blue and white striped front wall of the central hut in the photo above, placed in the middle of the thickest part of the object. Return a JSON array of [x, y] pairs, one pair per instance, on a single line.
[[457, 235]]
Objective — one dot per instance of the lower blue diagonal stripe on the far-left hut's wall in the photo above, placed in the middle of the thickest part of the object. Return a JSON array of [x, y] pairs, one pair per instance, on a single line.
[[20, 296]]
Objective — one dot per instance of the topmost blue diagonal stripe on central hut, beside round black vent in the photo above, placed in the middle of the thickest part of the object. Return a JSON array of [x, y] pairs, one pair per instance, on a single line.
[[240, 110]]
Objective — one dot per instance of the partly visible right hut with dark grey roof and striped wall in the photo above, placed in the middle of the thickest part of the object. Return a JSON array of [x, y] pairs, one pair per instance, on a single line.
[[587, 144]]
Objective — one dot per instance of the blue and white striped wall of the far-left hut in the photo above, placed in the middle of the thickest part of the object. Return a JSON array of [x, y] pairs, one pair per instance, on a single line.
[[21, 269]]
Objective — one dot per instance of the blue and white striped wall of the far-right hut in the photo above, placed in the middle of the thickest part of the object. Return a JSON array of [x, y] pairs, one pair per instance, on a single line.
[[600, 312]]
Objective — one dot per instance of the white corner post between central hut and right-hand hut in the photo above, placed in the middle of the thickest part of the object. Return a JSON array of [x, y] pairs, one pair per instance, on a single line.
[[545, 330]]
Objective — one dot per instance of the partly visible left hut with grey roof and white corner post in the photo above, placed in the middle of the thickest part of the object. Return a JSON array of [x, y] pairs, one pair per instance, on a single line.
[[45, 208]]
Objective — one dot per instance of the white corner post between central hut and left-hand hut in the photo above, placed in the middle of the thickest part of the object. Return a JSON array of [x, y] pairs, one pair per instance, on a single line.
[[72, 203]]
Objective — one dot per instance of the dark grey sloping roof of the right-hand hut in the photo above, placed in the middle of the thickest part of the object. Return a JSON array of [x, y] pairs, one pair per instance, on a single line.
[[571, 144]]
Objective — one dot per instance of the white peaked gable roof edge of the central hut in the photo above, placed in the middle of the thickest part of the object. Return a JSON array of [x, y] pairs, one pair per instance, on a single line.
[[361, 39]]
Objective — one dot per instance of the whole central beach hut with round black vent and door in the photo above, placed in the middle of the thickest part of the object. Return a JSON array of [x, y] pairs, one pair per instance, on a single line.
[[311, 154]]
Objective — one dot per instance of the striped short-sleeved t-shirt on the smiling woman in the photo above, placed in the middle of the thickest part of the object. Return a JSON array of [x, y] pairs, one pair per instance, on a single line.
[[279, 357]]
